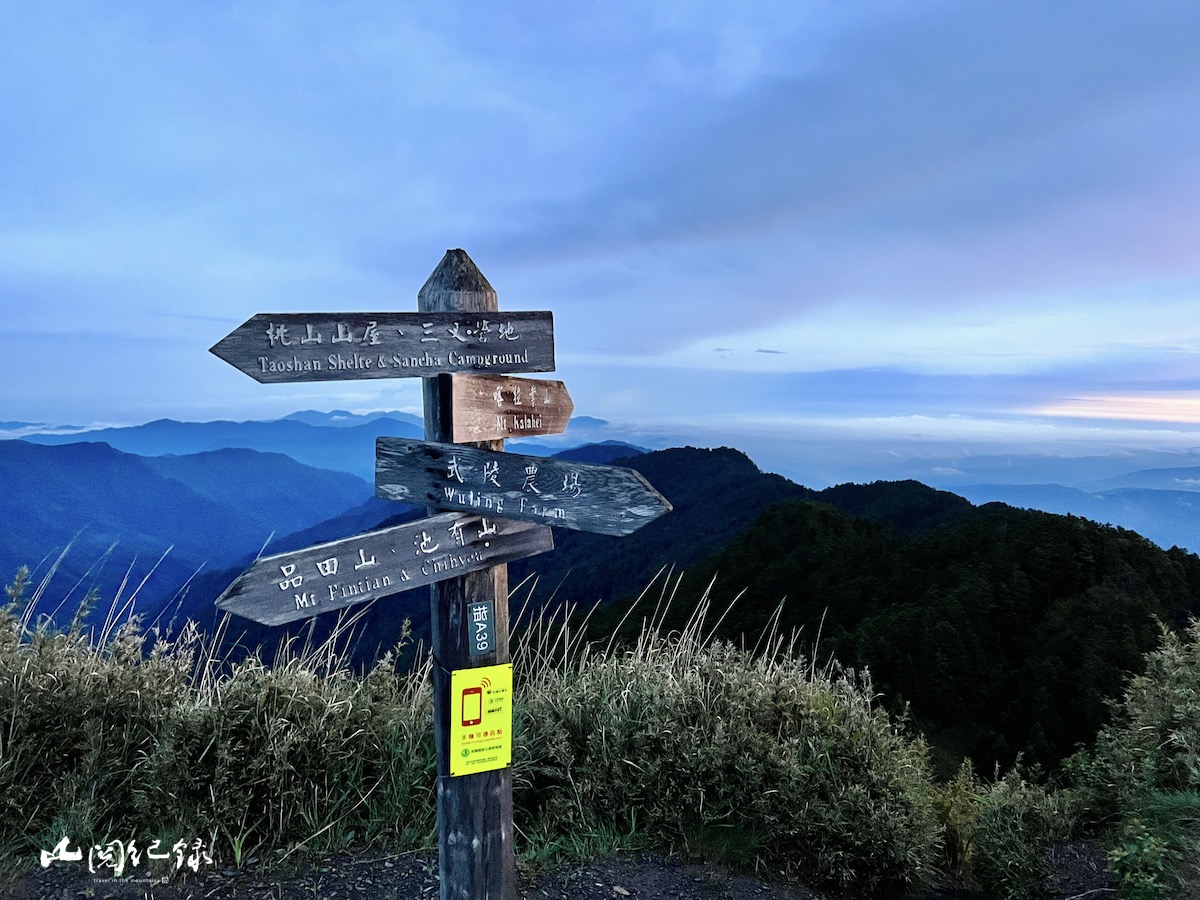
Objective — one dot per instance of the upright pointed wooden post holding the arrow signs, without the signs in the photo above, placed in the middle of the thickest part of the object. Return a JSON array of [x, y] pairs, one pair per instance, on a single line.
[[475, 812]]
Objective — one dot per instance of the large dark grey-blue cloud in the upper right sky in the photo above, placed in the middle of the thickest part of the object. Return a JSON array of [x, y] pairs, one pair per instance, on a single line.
[[939, 116]]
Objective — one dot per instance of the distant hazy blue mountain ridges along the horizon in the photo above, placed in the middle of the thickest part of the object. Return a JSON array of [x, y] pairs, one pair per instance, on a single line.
[[1145, 491]]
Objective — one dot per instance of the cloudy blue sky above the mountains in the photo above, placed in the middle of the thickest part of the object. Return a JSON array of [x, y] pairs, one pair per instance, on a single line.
[[811, 230]]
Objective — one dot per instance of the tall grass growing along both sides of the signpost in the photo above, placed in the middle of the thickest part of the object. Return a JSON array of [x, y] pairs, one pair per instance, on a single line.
[[754, 757]]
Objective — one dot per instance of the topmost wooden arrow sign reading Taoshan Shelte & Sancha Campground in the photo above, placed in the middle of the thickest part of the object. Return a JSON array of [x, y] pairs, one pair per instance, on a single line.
[[338, 346]]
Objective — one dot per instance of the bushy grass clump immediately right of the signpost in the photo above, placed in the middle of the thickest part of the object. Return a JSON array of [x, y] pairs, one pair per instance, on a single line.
[[753, 759]]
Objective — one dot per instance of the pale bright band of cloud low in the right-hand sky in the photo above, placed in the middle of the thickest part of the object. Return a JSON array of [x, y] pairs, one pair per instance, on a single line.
[[1099, 339]]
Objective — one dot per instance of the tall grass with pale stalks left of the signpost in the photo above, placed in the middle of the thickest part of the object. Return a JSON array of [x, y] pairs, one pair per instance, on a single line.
[[101, 740]]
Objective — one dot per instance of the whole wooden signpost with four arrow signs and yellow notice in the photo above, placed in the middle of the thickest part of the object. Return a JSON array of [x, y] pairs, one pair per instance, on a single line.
[[461, 346]]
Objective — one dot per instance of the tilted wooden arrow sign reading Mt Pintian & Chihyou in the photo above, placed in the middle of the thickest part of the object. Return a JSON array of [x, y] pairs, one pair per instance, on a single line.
[[332, 577]]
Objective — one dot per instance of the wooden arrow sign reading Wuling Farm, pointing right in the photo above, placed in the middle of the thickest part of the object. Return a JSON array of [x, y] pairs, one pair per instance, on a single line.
[[609, 500]]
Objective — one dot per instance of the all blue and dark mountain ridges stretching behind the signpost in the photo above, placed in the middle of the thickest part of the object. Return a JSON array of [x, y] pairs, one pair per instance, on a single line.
[[979, 616]]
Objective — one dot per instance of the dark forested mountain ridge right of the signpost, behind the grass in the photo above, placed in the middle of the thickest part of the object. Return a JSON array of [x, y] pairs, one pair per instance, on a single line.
[[1004, 632]]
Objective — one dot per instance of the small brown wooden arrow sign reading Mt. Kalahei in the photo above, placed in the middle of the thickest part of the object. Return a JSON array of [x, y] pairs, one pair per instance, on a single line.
[[496, 407]]
